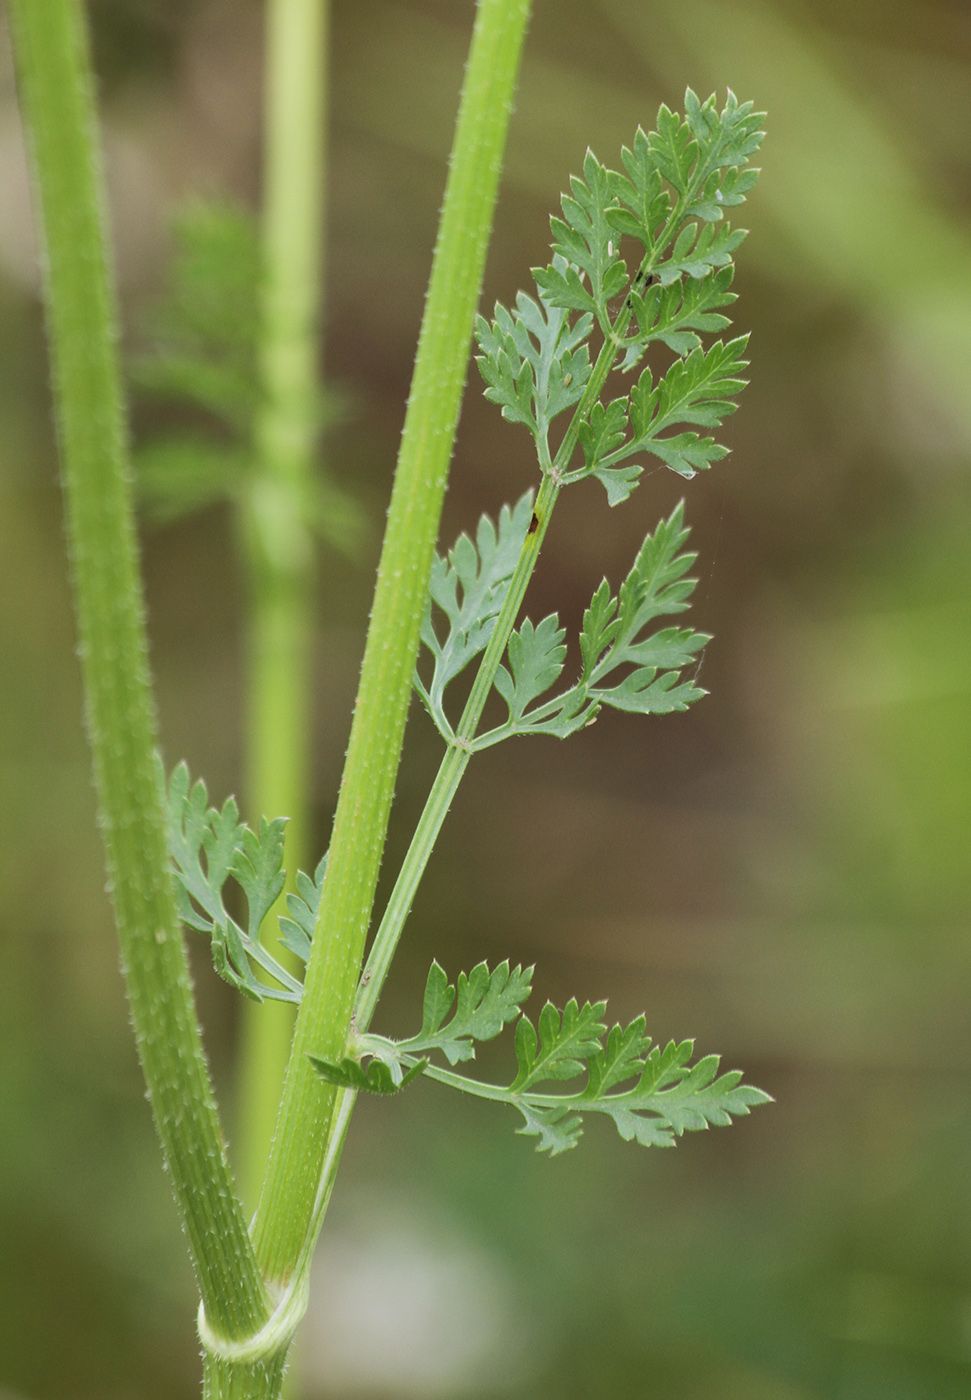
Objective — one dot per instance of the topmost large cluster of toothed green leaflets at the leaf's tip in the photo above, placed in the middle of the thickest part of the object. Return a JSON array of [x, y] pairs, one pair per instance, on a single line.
[[671, 195]]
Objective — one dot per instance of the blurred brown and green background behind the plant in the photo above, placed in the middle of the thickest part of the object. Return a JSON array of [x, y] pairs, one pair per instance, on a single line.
[[784, 873]]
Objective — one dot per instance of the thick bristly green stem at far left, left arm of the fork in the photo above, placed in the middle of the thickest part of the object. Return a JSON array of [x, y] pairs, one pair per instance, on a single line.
[[54, 68]]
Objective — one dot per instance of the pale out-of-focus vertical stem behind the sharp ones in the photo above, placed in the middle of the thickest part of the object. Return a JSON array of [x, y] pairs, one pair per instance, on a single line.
[[278, 541]]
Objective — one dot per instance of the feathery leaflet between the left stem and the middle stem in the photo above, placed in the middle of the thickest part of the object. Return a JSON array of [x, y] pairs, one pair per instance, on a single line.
[[208, 848]]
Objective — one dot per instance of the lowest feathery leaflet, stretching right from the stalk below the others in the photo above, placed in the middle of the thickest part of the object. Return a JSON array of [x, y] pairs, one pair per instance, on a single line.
[[669, 1097]]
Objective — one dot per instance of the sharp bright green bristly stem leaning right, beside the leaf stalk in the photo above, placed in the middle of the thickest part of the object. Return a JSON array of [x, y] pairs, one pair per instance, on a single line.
[[378, 729]]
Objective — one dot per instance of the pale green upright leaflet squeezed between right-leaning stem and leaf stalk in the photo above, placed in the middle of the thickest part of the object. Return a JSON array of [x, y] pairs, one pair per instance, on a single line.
[[469, 589]]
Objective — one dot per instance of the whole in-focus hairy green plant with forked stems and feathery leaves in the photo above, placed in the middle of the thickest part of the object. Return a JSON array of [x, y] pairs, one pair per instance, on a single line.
[[642, 257]]
